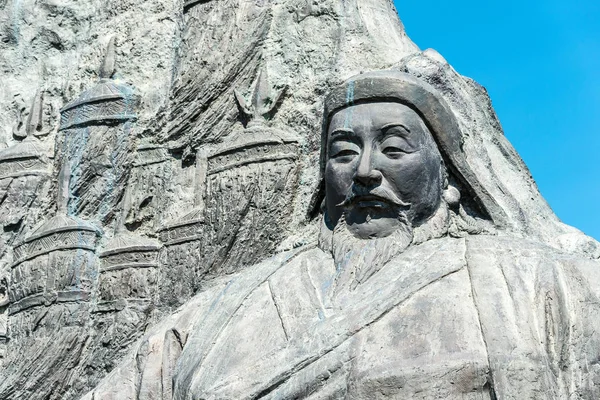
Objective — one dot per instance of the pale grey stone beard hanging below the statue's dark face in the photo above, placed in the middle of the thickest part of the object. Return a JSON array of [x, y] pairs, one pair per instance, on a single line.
[[356, 259]]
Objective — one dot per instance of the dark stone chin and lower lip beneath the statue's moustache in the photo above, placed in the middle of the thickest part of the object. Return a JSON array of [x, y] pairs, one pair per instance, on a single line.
[[366, 223]]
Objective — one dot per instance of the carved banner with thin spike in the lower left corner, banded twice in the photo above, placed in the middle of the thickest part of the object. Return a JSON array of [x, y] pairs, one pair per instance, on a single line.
[[50, 294]]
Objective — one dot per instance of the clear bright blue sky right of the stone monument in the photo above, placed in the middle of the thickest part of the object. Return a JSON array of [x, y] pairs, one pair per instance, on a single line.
[[540, 62]]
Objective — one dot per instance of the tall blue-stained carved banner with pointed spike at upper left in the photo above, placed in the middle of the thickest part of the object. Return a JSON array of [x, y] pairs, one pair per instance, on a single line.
[[96, 137]]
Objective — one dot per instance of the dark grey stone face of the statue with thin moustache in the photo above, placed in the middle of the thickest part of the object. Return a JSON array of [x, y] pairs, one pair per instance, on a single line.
[[381, 161]]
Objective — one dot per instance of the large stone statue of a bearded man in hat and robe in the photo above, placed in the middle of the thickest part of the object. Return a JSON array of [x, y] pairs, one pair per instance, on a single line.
[[415, 288]]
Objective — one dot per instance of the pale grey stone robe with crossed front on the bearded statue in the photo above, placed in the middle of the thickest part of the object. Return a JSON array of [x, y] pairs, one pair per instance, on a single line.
[[476, 318]]
